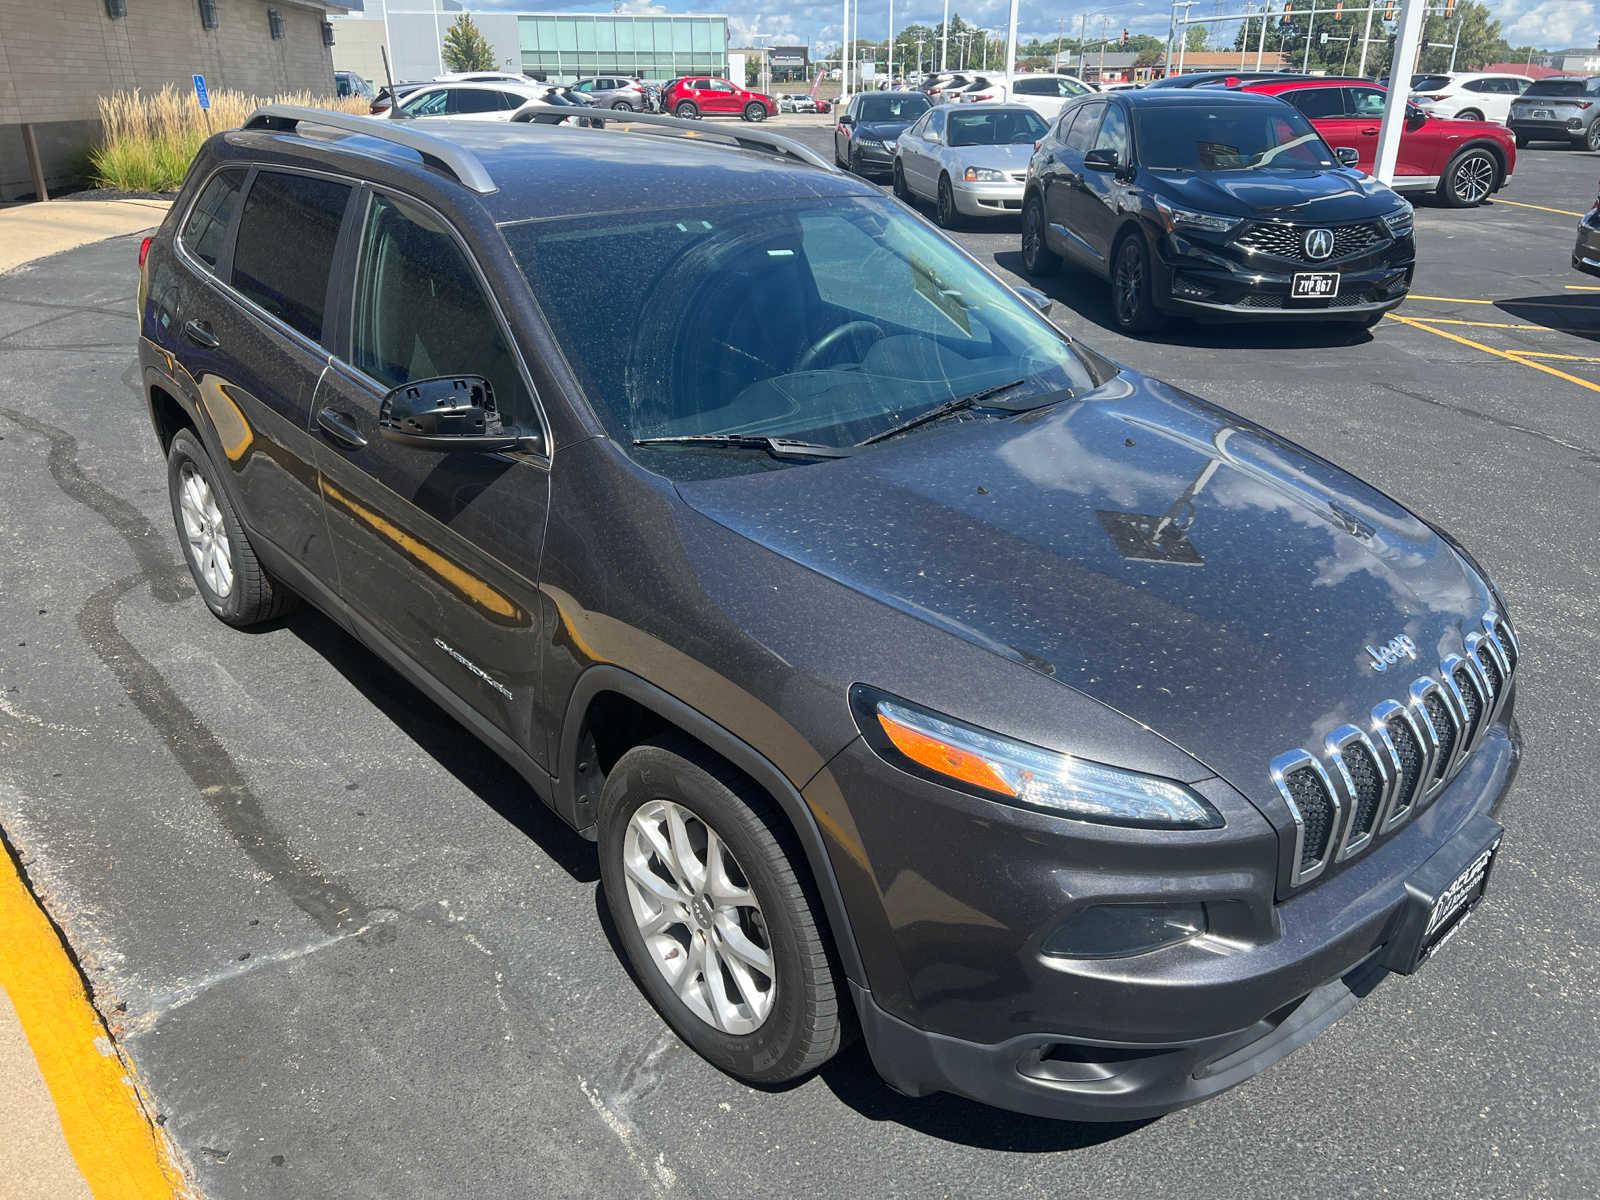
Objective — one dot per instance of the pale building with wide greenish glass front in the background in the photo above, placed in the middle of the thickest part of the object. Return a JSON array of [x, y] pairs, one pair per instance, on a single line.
[[559, 46]]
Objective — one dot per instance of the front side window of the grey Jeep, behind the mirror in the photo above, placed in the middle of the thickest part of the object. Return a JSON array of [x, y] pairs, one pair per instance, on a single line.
[[420, 311]]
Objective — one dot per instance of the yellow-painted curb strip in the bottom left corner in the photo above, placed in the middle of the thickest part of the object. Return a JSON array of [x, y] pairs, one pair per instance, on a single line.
[[105, 1126]]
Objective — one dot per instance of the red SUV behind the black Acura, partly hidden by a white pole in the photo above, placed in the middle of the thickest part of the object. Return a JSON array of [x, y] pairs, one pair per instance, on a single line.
[[1463, 162]]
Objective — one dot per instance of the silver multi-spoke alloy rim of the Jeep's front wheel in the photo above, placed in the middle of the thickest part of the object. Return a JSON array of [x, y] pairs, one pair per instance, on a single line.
[[700, 919]]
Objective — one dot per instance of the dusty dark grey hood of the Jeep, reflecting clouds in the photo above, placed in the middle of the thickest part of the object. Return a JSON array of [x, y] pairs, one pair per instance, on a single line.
[[1238, 639]]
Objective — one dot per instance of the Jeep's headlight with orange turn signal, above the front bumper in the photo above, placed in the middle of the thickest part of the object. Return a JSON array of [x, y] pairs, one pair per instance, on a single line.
[[999, 769]]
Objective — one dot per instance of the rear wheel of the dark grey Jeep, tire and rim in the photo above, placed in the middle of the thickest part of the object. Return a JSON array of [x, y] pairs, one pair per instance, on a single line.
[[223, 562]]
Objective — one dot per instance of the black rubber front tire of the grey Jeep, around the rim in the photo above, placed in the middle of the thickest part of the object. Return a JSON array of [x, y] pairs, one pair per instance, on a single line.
[[802, 1030]]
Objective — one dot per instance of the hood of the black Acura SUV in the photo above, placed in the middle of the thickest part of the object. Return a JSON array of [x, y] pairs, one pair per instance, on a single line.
[[1302, 196]]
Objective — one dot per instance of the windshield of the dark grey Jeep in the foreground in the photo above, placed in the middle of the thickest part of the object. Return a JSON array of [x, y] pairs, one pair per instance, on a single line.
[[823, 321]]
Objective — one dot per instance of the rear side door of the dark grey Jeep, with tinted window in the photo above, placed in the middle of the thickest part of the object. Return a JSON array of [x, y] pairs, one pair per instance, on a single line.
[[252, 342]]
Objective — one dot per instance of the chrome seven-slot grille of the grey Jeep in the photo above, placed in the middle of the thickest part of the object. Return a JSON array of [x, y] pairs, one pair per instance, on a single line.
[[1366, 783]]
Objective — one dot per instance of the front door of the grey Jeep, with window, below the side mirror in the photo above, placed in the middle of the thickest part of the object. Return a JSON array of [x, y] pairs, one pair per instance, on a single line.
[[439, 553]]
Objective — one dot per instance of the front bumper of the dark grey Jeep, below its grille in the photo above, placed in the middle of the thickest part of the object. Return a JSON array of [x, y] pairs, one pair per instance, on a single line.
[[1127, 1039]]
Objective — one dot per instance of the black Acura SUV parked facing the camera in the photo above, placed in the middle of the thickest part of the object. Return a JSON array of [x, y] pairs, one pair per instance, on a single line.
[[1217, 206]]
